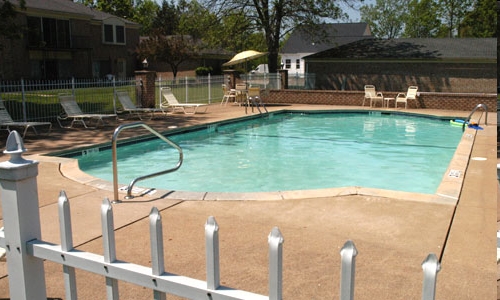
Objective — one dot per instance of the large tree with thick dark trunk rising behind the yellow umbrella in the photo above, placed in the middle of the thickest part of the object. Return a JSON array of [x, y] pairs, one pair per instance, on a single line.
[[274, 19]]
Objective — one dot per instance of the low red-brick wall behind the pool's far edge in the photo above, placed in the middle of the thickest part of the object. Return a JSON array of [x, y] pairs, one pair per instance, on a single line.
[[429, 100]]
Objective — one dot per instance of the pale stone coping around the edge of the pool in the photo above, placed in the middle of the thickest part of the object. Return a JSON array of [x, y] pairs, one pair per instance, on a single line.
[[447, 193]]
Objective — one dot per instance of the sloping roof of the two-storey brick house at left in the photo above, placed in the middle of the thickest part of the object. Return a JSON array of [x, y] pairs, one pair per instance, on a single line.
[[67, 7]]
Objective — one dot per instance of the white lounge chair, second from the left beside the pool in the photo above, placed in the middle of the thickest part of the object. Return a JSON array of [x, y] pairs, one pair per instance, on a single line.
[[72, 111]]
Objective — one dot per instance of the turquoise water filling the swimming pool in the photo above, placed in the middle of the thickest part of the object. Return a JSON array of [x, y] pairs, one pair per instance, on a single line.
[[293, 151]]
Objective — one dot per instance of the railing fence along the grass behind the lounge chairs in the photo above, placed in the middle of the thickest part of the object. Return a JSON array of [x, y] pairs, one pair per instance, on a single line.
[[37, 100]]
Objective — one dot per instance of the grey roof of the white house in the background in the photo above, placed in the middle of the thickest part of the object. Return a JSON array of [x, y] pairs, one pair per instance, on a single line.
[[336, 34]]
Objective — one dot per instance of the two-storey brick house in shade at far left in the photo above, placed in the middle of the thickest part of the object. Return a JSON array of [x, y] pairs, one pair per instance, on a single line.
[[67, 39]]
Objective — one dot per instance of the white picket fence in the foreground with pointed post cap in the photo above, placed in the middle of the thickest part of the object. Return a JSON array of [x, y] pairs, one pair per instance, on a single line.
[[25, 251]]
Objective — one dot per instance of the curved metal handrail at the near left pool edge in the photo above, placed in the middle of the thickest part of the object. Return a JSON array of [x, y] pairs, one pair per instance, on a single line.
[[133, 182]]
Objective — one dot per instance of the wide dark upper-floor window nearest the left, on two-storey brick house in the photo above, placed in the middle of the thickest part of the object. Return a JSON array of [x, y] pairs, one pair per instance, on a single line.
[[48, 32]]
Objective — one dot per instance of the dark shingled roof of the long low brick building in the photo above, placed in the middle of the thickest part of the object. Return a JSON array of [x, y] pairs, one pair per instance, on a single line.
[[428, 48]]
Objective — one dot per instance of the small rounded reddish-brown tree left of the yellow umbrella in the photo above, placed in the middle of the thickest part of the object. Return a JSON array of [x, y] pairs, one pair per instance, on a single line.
[[173, 49]]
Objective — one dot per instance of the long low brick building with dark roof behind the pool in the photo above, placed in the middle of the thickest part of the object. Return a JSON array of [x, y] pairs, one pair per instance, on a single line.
[[465, 65]]
